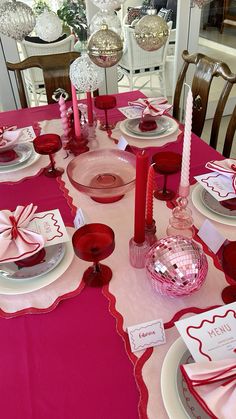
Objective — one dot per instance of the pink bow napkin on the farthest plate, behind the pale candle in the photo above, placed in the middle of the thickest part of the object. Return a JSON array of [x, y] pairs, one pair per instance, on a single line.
[[153, 107]]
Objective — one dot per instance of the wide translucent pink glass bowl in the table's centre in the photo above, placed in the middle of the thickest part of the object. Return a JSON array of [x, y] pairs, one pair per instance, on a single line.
[[105, 175]]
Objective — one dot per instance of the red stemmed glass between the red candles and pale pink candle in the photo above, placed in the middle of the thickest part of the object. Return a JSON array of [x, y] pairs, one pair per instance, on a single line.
[[166, 163]]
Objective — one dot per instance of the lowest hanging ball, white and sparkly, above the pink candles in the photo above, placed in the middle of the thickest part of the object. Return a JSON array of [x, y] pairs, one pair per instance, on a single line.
[[85, 75]]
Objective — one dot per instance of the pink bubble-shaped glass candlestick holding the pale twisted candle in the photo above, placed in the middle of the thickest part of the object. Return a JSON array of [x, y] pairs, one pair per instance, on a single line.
[[181, 222]]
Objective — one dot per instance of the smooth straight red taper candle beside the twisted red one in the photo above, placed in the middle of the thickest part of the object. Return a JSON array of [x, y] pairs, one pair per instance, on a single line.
[[140, 196]]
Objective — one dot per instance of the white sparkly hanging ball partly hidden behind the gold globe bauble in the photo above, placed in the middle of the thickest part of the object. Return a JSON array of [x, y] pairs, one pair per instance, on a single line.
[[105, 18]]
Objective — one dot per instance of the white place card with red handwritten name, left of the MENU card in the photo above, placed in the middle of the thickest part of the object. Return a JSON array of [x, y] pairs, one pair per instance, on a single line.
[[146, 335]]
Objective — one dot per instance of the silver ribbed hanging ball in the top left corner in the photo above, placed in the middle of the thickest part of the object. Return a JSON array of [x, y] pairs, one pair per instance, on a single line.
[[16, 19]]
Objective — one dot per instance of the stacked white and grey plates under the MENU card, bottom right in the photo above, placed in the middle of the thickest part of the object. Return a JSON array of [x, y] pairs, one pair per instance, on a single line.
[[178, 401]]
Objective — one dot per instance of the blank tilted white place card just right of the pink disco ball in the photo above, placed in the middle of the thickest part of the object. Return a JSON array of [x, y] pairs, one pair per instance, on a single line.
[[211, 236]]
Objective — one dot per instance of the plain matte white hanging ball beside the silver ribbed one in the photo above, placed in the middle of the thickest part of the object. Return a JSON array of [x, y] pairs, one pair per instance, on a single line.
[[48, 26]]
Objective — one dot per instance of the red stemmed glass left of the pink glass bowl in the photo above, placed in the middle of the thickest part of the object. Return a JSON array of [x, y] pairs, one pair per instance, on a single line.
[[48, 144]]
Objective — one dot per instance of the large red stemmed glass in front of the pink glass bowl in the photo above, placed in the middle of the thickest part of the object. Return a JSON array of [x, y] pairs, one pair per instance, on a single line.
[[93, 243]]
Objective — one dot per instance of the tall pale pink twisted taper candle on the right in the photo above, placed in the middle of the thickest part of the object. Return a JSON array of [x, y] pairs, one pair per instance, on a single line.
[[185, 169]]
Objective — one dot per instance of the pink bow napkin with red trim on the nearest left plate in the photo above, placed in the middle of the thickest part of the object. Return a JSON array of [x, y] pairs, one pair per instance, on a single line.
[[16, 241]]
